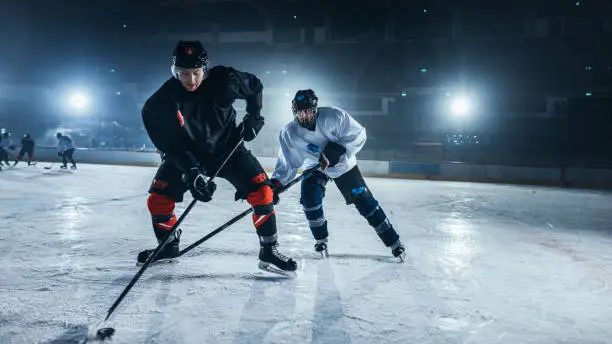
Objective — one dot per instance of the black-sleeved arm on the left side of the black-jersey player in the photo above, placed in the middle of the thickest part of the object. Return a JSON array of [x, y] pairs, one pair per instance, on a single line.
[[164, 129]]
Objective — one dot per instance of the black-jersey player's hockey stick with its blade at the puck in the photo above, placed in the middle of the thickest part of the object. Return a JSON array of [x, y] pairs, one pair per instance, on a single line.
[[108, 331]]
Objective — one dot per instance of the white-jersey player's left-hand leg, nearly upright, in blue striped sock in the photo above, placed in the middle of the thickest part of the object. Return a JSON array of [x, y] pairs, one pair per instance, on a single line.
[[311, 198]]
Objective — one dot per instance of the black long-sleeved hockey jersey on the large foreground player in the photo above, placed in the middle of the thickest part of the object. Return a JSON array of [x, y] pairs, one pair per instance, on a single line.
[[200, 126]]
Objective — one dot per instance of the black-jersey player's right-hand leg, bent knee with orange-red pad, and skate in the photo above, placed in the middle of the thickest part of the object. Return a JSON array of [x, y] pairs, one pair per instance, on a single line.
[[251, 183]]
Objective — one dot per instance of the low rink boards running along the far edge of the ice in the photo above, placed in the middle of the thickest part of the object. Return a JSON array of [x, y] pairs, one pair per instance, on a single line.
[[574, 177]]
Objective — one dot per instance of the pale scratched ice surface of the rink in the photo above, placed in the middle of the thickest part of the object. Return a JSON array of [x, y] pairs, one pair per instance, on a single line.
[[486, 264]]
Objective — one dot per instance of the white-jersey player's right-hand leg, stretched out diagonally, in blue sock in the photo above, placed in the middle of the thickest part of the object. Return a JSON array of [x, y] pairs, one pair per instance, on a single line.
[[355, 191]]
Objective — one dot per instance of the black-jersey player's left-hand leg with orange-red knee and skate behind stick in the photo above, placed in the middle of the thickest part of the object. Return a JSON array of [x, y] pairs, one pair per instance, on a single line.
[[166, 189]]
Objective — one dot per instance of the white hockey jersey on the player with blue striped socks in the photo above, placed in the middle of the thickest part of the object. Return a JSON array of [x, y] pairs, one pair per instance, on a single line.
[[300, 147]]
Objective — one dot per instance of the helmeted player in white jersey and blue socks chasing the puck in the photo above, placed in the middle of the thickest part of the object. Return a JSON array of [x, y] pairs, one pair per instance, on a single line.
[[331, 136]]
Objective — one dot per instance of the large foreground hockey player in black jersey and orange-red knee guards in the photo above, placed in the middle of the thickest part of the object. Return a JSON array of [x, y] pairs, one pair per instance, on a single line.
[[191, 120]]
